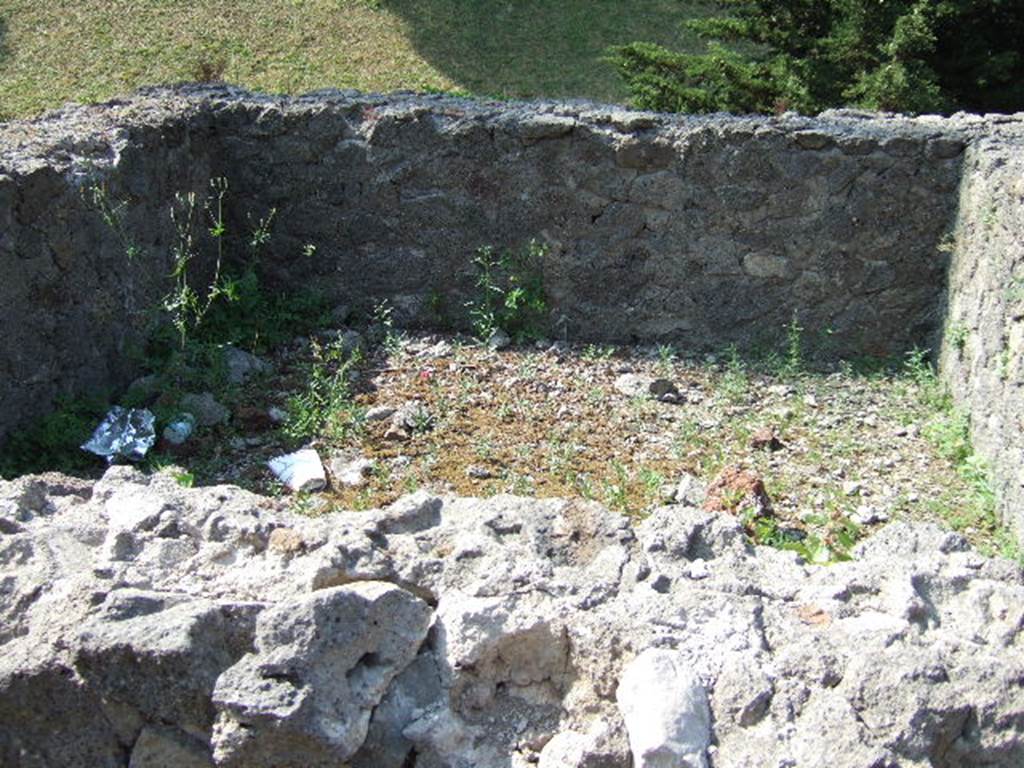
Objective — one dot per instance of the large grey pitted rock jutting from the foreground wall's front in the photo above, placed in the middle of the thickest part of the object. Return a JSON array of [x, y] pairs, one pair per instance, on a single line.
[[321, 666]]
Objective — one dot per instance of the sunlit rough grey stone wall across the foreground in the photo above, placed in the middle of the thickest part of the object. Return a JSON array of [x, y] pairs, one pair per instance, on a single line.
[[484, 633]]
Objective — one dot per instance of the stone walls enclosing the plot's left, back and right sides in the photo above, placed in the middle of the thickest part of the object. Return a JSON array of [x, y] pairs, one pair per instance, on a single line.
[[698, 231]]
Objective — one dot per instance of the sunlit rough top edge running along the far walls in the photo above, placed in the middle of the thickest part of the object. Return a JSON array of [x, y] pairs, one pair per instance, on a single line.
[[62, 139]]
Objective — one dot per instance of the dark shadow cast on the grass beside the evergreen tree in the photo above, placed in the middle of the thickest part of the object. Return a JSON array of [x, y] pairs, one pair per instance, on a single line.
[[533, 49]]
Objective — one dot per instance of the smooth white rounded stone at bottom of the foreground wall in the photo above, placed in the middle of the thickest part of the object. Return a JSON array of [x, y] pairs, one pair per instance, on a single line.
[[665, 707]]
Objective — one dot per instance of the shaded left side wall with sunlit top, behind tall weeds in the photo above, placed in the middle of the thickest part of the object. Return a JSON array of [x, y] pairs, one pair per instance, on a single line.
[[73, 308]]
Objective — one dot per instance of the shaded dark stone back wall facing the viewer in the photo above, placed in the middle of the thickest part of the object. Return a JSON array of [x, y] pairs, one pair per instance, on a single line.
[[700, 232]]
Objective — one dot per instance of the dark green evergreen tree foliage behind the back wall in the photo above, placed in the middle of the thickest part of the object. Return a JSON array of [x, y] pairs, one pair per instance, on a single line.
[[770, 56]]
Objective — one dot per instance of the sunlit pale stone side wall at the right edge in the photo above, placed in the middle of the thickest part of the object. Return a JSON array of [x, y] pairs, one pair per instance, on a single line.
[[984, 348]]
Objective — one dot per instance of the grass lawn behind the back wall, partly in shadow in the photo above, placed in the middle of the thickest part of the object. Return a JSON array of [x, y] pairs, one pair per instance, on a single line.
[[53, 52]]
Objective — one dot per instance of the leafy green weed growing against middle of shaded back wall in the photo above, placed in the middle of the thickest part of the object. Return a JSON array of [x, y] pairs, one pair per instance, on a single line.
[[510, 293]]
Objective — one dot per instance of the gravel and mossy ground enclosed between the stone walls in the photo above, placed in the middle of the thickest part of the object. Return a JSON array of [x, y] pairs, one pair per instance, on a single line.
[[836, 452]]
